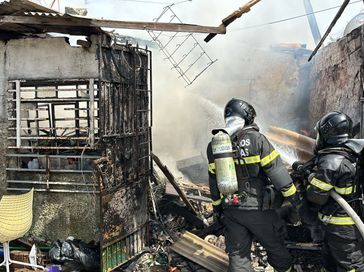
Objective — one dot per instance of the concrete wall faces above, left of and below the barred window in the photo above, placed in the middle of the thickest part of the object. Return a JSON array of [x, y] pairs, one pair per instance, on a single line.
[[56, 215]]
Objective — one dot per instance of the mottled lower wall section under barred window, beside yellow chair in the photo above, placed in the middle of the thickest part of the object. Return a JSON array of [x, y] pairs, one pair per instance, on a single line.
[[60, 215]]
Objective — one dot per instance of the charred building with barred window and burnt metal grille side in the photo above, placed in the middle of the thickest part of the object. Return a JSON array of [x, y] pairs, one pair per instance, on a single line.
[[76, 127]]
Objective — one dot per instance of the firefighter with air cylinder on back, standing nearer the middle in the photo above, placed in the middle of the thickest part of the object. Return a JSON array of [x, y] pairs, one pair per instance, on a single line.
[[247, 214]]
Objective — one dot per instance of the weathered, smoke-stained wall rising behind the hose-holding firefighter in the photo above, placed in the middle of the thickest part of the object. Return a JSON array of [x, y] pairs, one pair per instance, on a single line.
[[335, 79]]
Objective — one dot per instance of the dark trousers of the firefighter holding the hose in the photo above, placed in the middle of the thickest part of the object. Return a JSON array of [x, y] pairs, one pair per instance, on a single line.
[[342, 249]]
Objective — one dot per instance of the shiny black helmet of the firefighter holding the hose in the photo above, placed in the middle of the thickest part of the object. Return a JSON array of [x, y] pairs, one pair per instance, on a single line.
[[334, 128]]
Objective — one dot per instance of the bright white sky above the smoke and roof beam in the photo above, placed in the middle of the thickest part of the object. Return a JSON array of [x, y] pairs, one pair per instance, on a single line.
[[211, 12]]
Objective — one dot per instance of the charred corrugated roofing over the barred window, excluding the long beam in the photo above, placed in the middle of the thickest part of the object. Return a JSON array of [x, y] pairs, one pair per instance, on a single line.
[[28, 8]]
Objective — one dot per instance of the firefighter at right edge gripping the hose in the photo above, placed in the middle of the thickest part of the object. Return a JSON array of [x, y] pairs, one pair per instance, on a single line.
[[335, 169]]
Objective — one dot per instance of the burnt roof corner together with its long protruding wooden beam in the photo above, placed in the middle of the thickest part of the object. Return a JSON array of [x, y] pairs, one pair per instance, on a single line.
[[22, 20]]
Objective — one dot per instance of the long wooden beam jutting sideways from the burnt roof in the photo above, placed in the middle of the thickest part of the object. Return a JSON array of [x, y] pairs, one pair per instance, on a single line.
[[89, 22]]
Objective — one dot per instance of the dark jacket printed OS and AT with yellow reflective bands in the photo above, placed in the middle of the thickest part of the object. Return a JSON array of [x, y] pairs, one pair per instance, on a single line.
[[257, 165]]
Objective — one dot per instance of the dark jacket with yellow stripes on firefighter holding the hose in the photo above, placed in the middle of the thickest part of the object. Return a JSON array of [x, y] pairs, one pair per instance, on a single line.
[[334, 169]]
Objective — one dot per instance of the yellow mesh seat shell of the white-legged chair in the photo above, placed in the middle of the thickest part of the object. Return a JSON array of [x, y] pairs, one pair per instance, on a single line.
[[16, 214]]
